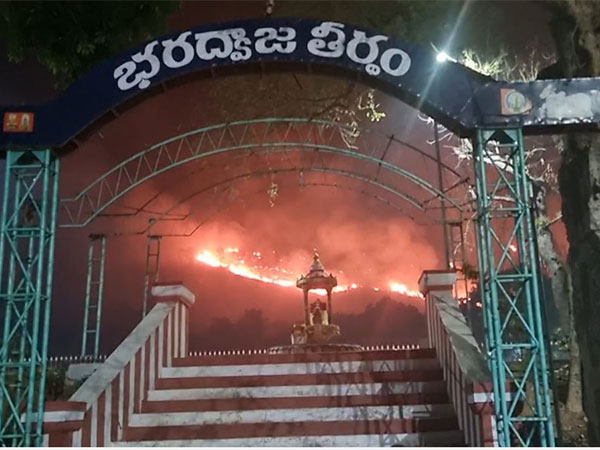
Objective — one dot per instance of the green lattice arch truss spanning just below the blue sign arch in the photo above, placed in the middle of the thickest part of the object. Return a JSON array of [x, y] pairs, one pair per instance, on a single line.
[[271, 135]]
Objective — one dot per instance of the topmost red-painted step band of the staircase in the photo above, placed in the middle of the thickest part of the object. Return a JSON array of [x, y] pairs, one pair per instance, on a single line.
[[263, 358]]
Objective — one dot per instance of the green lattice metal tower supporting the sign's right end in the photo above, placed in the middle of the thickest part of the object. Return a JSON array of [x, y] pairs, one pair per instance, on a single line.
[[509, 283]]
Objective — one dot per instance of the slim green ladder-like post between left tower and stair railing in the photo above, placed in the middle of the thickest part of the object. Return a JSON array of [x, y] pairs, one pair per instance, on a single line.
[[92, 316]]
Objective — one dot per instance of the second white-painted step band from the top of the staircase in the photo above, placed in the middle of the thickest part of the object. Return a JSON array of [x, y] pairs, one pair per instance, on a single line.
[[303, 390]]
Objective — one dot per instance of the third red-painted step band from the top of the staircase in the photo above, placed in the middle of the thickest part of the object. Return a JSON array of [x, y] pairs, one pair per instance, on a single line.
[[327, 401]]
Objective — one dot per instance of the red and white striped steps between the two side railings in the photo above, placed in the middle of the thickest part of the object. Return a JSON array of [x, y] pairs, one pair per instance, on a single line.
[[374, 398]]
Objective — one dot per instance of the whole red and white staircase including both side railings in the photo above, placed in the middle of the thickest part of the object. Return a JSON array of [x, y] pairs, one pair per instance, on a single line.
[[149, 393]]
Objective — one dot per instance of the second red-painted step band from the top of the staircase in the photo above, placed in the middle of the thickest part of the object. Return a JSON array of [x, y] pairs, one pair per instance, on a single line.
[[300, 379]]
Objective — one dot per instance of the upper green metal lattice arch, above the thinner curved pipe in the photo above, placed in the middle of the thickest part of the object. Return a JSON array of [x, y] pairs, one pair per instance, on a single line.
[[94, 194]]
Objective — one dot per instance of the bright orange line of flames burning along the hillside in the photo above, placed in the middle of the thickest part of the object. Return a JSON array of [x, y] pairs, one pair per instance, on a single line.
[[239, 267]]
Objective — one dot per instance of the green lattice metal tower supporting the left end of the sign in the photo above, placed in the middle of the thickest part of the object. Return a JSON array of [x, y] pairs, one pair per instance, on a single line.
[[29, 209]]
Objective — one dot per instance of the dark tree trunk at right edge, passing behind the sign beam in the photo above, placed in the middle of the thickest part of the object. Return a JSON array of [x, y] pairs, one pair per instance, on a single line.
[[575, 30]]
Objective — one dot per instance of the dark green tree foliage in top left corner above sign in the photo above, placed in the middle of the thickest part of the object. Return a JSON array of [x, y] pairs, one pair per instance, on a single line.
[[68, 38]]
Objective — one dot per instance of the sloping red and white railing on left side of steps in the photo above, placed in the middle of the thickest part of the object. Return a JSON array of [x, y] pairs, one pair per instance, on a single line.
[[98, 413]]
